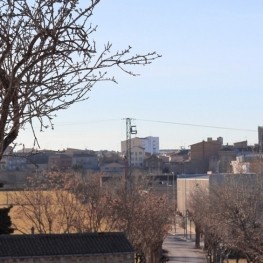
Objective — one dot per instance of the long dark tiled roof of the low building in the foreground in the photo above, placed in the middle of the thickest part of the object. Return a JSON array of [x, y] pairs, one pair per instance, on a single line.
[[63, 244]]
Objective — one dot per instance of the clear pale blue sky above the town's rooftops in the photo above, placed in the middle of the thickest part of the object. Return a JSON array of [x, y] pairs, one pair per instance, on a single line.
[[208, 82]]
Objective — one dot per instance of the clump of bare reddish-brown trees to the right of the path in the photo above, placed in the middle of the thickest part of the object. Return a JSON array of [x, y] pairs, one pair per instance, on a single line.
[[230, 215]]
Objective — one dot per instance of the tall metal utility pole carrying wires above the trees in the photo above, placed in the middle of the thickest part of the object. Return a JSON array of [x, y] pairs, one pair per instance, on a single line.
[[130, 129]]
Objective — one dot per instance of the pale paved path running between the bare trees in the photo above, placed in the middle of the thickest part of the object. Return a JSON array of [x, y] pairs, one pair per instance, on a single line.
[[181, 250]]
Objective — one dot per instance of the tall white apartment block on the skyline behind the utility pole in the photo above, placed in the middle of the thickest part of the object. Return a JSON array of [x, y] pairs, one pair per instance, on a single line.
[[150, 144]]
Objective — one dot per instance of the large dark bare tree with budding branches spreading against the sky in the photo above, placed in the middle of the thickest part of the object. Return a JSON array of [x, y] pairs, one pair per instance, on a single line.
[[48, 61]]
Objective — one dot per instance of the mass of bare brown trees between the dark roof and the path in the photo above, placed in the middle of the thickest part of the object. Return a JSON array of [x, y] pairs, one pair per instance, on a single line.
[[80, 203]]
